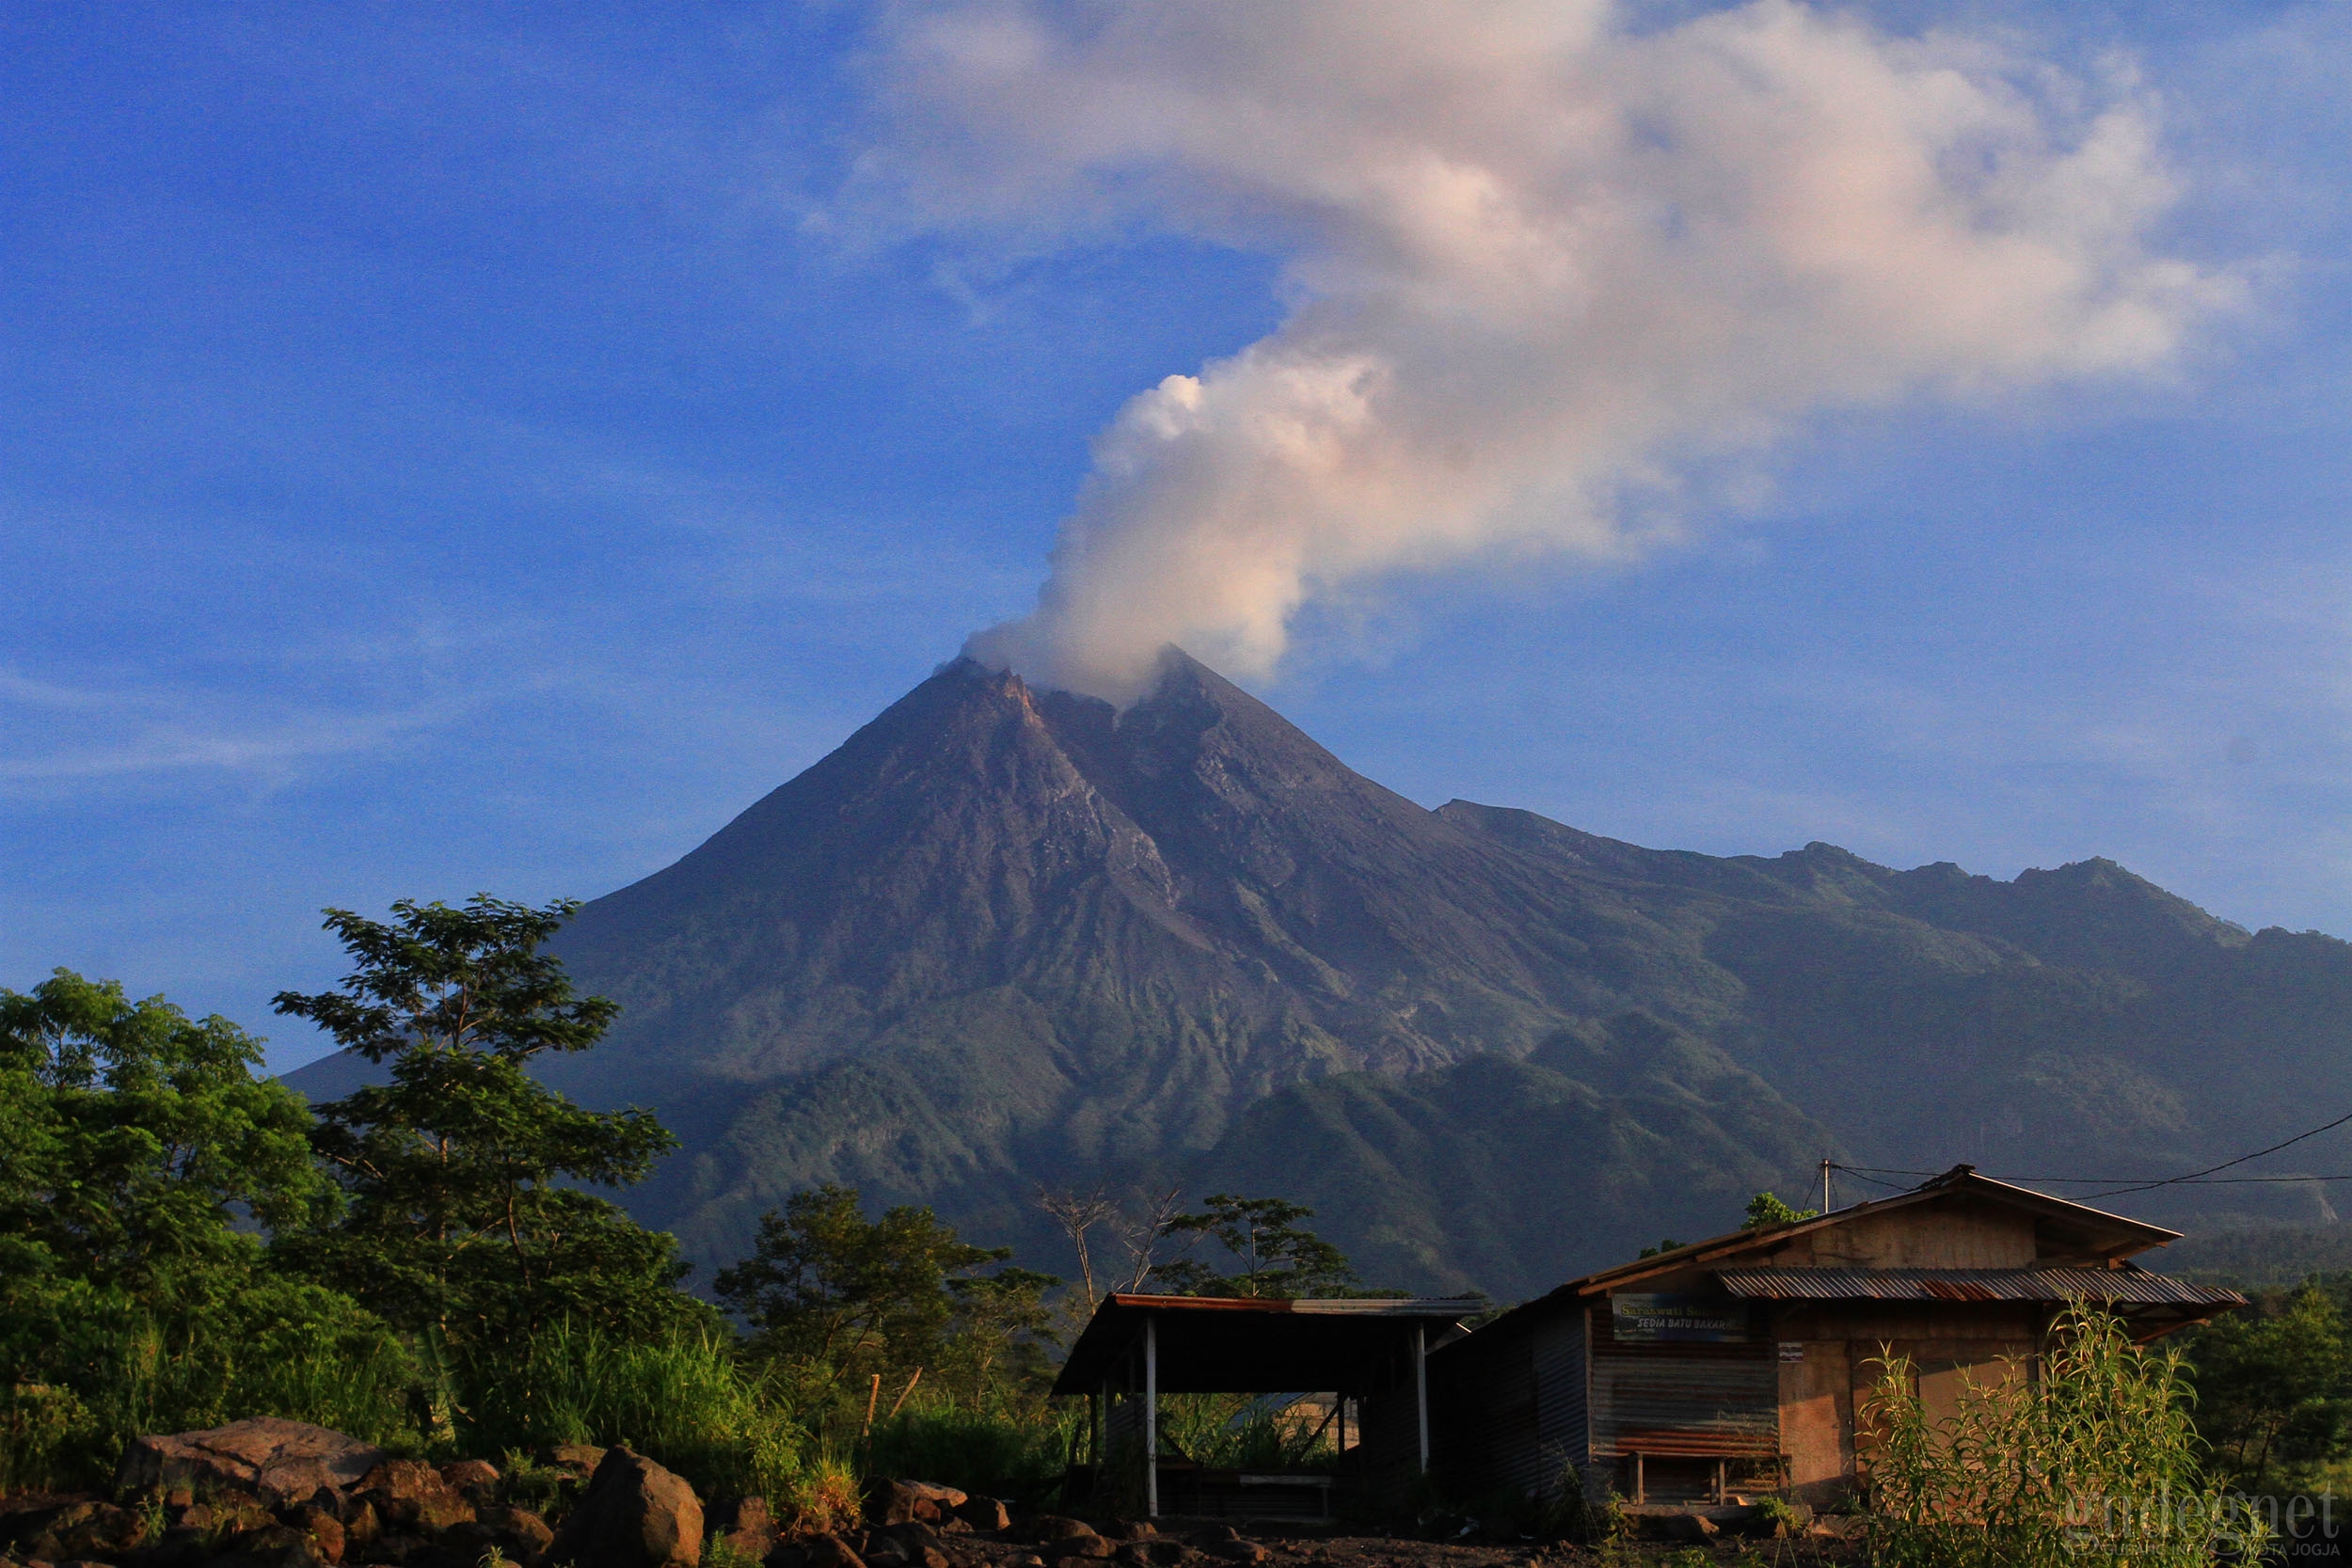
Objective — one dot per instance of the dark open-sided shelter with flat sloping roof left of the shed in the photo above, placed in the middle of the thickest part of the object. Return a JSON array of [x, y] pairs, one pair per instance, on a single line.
[[1368, 1353]]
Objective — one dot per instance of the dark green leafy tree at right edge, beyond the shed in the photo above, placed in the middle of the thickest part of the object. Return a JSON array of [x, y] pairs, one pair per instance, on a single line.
[[2276, 1386]]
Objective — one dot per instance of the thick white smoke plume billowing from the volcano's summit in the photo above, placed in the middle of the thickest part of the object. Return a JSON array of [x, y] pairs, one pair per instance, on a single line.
[[1539, 262]]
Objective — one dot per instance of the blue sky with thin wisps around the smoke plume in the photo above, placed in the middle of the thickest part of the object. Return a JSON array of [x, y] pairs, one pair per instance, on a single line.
[[486, 448]]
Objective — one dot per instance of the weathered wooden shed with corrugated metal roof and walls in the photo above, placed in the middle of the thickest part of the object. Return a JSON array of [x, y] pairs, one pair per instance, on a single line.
[[1735, 1365]]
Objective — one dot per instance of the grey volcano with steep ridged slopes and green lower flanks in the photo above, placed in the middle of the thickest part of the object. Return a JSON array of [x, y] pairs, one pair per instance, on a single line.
[[1013, 937]]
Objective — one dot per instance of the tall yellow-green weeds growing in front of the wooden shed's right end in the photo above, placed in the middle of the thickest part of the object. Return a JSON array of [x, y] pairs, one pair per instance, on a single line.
[[2087, 1459]]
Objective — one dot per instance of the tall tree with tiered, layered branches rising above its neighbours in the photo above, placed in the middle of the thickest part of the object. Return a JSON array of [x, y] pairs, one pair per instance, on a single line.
[[465, 1177]]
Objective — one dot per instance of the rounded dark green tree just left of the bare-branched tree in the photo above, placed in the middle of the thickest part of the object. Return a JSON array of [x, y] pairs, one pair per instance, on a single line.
[[843, 1296]]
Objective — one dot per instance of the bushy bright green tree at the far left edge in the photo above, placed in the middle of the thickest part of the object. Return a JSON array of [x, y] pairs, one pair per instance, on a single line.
[[138, 1155]]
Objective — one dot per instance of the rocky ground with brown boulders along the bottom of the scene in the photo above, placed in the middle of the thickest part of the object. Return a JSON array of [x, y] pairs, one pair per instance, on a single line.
[[272, 1494]]
